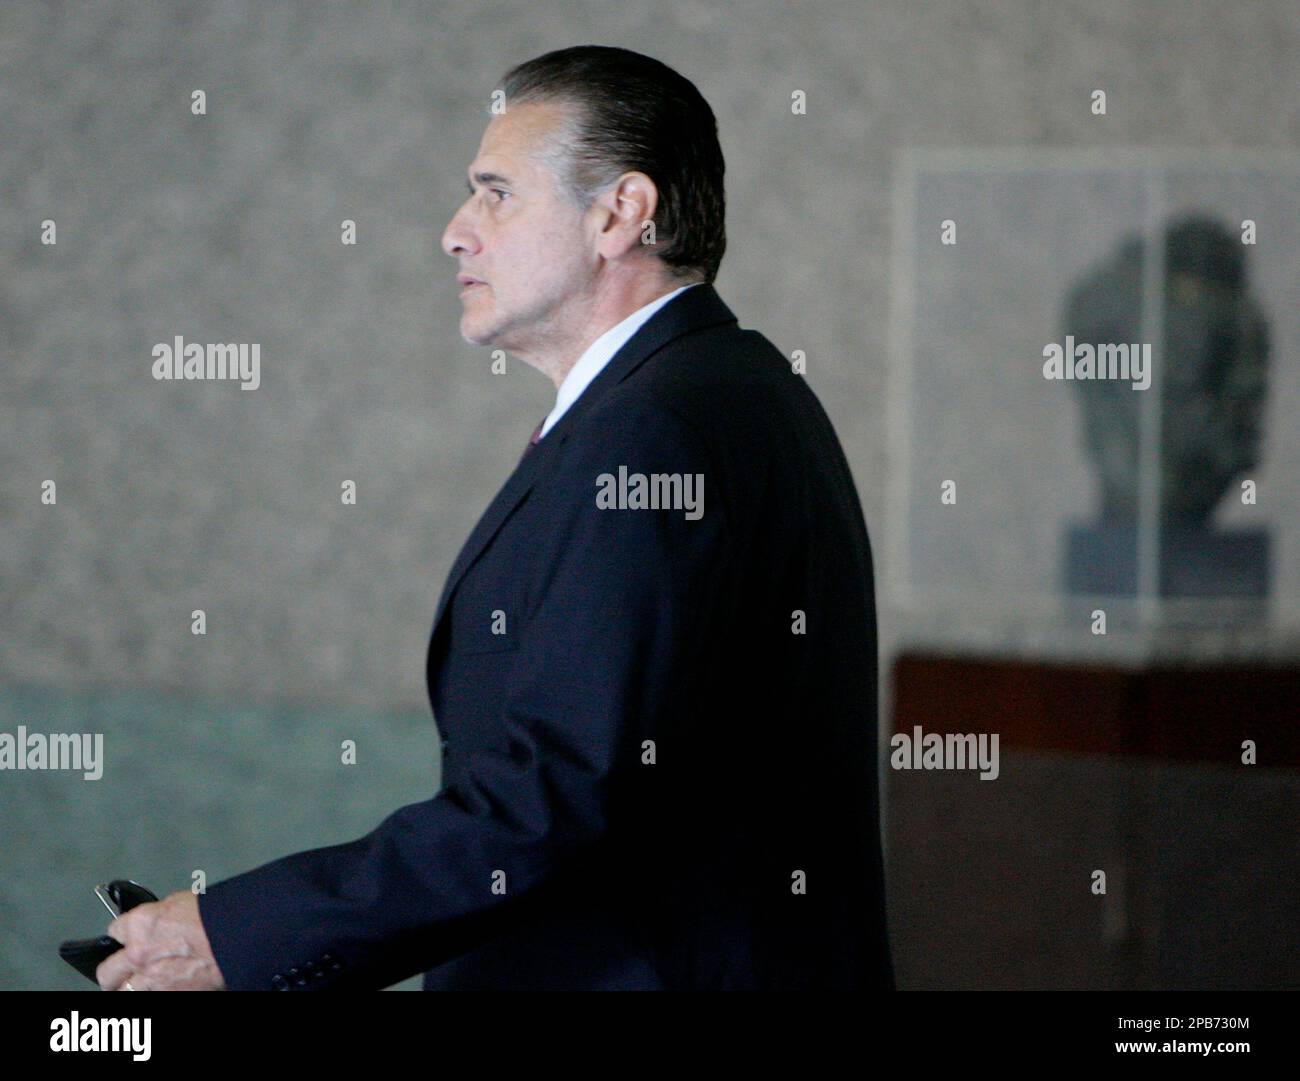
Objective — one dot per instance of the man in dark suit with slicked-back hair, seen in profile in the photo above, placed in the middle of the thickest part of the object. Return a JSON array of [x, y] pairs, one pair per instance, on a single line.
[[655, 661]]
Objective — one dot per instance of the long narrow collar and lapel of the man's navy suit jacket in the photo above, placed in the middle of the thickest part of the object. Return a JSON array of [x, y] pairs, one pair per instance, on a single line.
[[695, 310]]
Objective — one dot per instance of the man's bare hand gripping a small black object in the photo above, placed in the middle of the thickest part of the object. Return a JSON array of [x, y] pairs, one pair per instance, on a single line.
[[164, 949]]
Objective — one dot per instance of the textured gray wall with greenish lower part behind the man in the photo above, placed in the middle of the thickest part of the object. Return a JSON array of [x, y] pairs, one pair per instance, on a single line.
[[226, 228]]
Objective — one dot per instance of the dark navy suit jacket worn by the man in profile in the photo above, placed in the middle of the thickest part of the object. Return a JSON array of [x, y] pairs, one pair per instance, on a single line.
[[660, 776]]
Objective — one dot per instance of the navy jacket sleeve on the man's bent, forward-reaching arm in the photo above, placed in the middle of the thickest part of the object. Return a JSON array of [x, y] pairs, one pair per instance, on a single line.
[[616, 620]]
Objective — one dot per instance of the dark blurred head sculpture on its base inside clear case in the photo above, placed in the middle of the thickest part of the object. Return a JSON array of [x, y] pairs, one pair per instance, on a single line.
[[1211, 374]]
